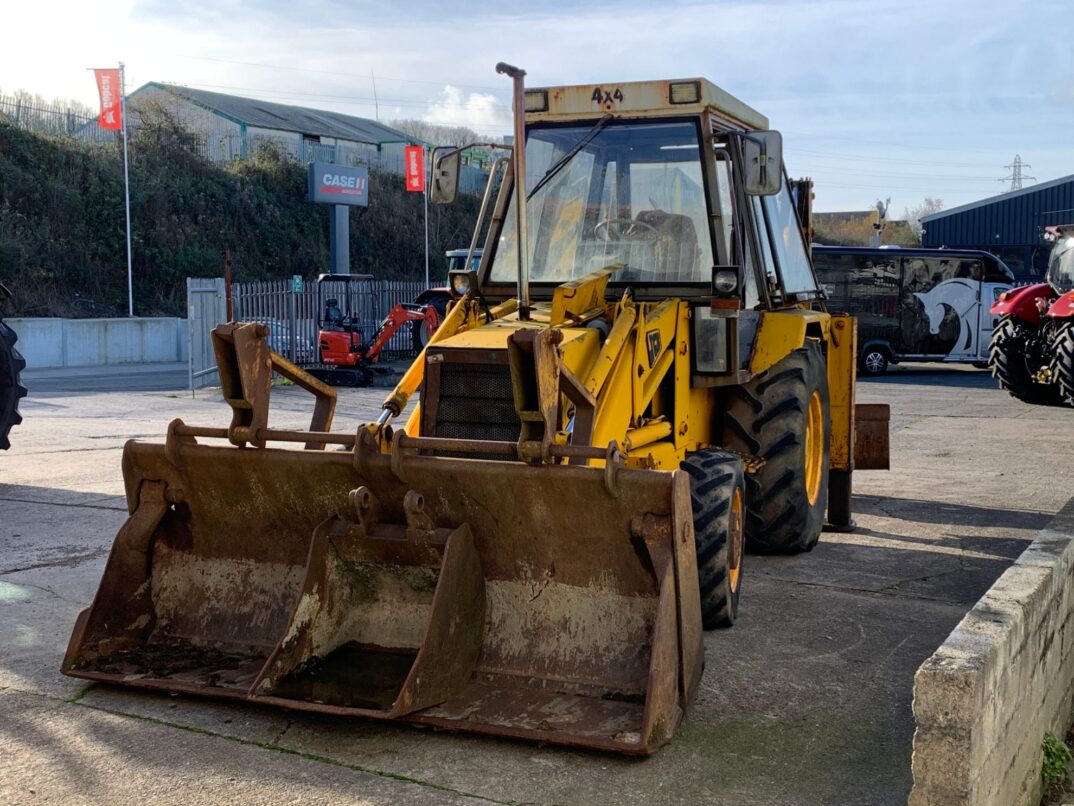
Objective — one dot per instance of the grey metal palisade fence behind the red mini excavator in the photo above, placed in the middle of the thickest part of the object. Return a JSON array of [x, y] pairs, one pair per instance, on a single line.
[[294, 316]]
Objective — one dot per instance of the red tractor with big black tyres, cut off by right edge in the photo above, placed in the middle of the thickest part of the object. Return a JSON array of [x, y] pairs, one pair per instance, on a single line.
[[1033, 349]]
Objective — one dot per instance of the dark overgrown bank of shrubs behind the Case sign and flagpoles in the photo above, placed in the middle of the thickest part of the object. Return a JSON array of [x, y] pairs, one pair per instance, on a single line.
[[63, 251]]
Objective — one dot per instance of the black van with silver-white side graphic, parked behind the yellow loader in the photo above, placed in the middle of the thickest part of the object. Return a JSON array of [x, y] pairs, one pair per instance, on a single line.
[[915, 305]]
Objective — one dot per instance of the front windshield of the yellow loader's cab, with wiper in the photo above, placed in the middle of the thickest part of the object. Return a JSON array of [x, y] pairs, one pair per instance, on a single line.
[[633, 196]]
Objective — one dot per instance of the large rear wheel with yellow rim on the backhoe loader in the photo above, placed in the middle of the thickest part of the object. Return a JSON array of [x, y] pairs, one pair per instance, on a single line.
[[782, 416]]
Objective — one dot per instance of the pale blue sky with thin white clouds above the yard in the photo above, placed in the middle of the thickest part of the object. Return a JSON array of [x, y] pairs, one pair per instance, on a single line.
[[876, 100]]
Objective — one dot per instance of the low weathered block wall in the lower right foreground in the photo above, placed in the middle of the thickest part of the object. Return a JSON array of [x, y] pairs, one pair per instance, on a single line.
[[1004, 679]]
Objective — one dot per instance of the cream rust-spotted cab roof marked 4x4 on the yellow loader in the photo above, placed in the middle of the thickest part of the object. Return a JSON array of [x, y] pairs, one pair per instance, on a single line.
[[678, 97]]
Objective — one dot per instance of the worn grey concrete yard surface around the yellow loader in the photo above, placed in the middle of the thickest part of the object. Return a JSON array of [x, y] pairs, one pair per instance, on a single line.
[[806, 701]]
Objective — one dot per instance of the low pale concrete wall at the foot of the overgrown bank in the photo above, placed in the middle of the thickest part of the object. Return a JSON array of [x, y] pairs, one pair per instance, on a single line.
[[55, 343]]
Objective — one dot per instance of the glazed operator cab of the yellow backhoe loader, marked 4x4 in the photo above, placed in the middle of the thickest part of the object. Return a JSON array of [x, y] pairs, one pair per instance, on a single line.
[[667, 200]]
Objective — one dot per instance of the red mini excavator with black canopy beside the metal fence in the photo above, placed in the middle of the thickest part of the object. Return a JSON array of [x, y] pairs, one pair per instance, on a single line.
[[349, 352]]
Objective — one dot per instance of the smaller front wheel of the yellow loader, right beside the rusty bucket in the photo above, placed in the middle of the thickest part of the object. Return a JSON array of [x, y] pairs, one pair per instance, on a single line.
[[718, 493]]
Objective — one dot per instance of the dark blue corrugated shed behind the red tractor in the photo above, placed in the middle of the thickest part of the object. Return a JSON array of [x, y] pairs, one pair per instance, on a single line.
[[1009, 225]]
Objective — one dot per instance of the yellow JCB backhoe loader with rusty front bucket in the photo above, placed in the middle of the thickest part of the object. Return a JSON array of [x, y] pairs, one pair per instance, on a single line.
[[638, 383]]
